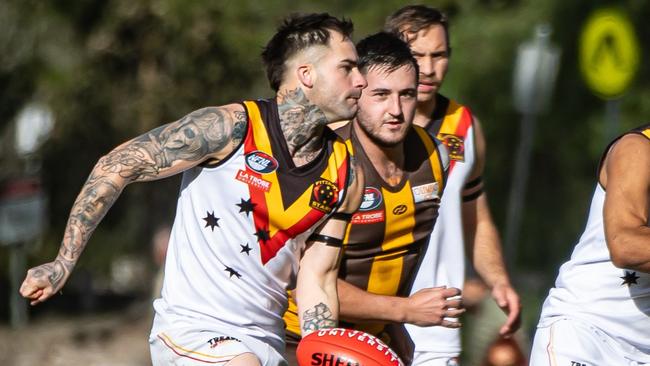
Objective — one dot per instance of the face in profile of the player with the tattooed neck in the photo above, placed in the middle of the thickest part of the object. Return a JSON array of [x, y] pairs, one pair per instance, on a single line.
[[339, 83]]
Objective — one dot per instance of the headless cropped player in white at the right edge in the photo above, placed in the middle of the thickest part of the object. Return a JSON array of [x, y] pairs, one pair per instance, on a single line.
[[598, 313]]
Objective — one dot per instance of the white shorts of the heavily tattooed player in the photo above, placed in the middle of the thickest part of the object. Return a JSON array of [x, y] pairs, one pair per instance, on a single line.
[[188, 347]]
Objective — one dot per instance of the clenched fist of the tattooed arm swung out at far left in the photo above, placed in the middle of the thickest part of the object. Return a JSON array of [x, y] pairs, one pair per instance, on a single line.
[[43, 281]]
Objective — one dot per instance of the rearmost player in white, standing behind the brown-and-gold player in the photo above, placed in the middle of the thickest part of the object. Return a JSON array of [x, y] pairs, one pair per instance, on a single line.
[[464, 211]]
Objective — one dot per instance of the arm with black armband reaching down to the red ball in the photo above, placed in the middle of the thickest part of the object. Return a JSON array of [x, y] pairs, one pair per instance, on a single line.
[[316, 295]]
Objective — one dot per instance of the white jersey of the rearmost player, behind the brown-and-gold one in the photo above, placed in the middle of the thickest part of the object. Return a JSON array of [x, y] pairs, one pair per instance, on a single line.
[[444, 261]]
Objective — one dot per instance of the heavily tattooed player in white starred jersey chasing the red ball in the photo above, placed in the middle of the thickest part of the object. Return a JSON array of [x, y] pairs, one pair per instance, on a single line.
[[259, 177]]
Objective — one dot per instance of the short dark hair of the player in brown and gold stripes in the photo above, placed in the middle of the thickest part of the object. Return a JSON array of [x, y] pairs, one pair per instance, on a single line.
[[384, 51]]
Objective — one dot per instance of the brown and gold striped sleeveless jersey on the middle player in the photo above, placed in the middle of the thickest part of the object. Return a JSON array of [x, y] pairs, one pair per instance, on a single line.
[[387, 236]]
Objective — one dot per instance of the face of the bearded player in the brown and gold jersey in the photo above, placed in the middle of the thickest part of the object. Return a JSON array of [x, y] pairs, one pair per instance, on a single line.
[[387, 105]]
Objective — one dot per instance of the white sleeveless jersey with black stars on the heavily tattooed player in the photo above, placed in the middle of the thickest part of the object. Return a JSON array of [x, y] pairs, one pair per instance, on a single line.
[[240, 228]]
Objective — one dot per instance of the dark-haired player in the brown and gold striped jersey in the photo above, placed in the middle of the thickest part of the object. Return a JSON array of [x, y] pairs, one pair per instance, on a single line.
[[404, 181]]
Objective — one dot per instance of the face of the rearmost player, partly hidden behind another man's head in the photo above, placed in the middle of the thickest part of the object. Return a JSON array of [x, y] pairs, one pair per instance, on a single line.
[[430, 49]]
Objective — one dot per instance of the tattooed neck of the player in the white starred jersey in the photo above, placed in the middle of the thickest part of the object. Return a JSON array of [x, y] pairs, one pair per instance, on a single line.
[[302, 123]]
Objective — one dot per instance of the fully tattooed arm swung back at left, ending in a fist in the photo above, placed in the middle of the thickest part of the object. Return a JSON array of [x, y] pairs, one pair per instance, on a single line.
[[209, 133]]
